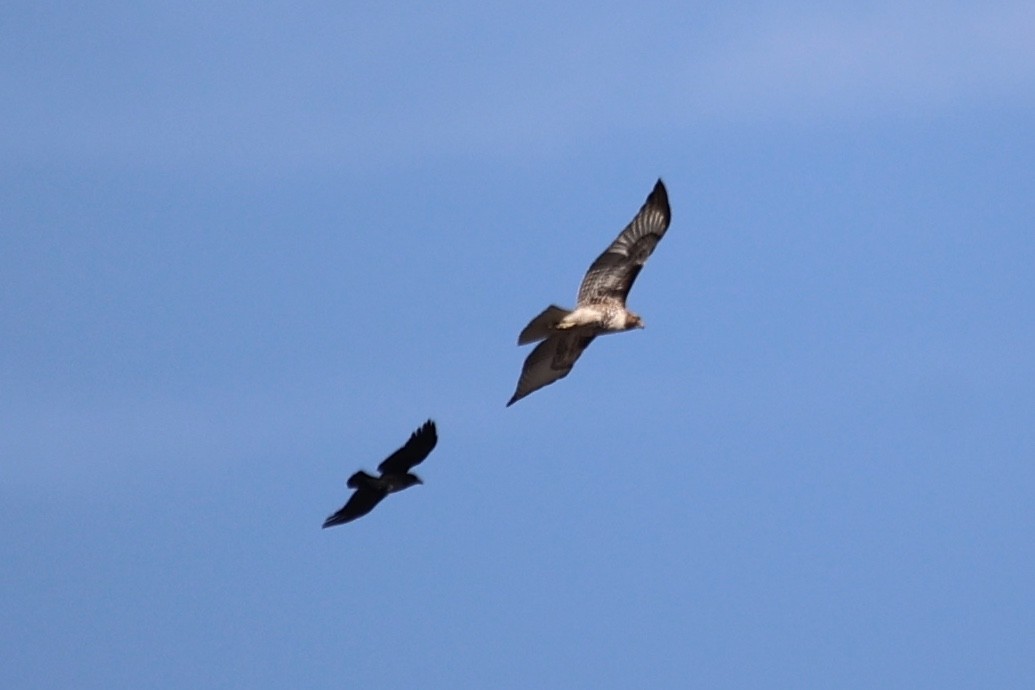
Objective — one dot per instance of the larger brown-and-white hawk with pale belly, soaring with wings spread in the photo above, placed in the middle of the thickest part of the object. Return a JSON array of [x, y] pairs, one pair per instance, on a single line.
[[601, 306]]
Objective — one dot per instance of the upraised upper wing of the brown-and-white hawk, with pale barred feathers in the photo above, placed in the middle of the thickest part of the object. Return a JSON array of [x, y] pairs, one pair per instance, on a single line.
[[612, 275]]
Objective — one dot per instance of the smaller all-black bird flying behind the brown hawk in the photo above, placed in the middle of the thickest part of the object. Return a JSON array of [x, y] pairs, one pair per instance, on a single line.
[[396, 476]]
